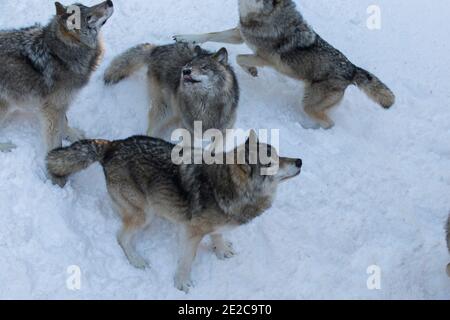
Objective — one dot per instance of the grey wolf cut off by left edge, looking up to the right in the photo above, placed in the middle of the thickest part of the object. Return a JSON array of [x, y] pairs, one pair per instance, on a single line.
[[48, 65]]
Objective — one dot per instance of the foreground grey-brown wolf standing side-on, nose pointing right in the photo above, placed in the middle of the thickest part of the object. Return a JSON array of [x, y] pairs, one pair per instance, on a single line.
[[143, 182]]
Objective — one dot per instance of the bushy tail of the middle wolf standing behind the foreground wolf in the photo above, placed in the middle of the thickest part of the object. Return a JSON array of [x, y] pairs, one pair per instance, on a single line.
[[128, 63]]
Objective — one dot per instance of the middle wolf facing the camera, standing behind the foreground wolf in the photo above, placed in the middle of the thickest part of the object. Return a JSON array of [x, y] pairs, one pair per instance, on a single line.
[[186, 84]]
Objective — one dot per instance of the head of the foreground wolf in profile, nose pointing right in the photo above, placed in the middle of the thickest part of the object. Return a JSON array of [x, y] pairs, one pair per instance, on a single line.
[[260, 165]]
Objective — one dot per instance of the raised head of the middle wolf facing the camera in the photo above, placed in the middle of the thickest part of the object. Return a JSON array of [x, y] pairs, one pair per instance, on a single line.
[[206, 71]]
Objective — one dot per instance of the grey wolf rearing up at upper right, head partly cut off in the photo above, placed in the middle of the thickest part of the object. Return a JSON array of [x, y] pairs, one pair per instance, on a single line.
[[281, 38]]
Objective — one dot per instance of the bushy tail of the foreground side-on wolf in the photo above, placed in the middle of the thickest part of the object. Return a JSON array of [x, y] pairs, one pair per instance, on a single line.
[[63, 162]]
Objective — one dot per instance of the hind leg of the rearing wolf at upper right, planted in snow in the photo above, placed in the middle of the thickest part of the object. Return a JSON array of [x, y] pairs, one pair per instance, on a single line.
[[318, 99]]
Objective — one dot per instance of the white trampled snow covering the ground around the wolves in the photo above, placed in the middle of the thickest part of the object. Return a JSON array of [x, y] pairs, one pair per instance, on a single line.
[[375, 189]]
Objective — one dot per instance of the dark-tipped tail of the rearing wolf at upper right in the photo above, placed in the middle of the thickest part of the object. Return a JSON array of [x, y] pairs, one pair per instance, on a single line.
[[374, 88]]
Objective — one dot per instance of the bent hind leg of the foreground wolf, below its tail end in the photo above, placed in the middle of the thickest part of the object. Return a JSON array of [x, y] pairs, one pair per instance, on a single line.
[[134, 221]]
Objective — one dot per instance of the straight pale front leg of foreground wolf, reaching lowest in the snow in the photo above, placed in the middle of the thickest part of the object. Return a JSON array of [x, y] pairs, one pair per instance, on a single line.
[[189, 242]]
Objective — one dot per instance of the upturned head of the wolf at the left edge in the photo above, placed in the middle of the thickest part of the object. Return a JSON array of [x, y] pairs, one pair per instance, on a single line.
[[81, 23]]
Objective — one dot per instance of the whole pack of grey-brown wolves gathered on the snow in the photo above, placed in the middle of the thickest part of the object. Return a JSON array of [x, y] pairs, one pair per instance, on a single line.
[[46, 66]]
